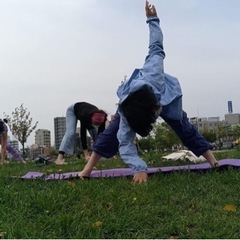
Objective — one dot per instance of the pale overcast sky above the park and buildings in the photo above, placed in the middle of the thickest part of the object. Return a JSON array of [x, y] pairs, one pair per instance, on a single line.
[[57, 52]]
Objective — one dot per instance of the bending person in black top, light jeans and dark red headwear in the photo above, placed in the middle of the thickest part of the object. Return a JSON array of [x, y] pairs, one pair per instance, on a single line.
[[91, 118]]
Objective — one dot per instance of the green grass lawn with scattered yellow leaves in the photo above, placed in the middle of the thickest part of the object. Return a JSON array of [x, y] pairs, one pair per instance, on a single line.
[[178, 205]]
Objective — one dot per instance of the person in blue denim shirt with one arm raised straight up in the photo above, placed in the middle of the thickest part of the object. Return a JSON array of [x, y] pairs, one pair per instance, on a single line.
[[148, 94]]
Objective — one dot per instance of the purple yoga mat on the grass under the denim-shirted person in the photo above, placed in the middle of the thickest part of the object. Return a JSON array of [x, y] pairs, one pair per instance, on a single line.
[[122, 172]]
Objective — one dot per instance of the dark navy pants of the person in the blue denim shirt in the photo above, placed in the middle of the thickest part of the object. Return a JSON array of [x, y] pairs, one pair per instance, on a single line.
[[106, 144]]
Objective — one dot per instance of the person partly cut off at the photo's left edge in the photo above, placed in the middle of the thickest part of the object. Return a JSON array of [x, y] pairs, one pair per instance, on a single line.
[[6, 146]]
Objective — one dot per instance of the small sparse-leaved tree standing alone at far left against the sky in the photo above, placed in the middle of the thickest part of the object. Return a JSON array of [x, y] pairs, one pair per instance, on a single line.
[[21, 124]]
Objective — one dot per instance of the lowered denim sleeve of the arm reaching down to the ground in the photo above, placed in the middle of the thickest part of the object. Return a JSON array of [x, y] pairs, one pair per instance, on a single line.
[[127, 149]]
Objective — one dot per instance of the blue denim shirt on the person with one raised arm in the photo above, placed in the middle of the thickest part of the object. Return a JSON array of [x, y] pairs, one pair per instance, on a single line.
[[165, 87]]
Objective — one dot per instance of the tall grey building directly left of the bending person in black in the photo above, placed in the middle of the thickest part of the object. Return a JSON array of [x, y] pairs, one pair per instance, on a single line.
[[59, 130]]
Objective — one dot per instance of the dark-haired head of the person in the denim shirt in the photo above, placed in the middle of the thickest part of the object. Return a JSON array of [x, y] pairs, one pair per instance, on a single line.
[[140, 110]]
